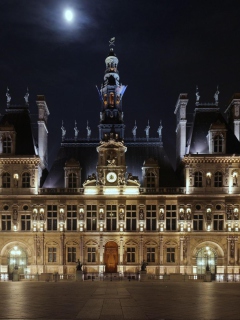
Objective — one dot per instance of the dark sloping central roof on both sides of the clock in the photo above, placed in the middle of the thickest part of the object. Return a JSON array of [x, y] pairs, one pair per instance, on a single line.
[[137, 153]]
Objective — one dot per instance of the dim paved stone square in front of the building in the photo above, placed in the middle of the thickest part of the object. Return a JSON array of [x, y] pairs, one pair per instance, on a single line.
[[120, 300]]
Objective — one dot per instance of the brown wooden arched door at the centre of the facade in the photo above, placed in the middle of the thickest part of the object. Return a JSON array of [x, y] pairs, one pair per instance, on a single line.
[[111, 256]]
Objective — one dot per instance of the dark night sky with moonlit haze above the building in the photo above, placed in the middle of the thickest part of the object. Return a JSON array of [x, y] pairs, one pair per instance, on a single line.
[[164, 48]]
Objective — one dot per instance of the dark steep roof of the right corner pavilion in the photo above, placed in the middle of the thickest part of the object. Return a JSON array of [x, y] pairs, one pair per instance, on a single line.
[[204, 119]]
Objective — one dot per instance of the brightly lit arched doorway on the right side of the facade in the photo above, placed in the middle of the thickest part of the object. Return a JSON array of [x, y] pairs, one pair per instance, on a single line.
[[206, 259]]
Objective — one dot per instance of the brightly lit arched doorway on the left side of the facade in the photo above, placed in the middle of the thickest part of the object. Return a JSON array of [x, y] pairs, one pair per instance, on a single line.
[[17, 260]]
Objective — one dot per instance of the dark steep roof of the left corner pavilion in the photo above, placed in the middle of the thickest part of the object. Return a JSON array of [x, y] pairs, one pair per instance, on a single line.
[[19, 118]]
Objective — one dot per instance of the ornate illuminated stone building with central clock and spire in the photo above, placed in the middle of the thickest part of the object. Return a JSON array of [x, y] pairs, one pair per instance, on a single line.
[[113, 202]]
